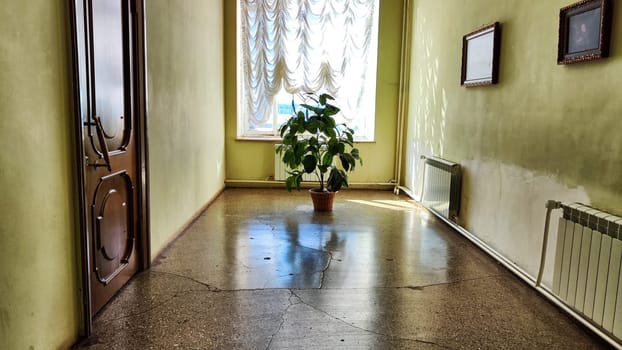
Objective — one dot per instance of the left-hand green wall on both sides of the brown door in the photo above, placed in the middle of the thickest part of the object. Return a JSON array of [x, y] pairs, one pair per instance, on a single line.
[[40, 296]]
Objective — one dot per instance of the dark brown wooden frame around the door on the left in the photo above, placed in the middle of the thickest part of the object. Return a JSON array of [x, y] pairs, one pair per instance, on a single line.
[[80, 102]]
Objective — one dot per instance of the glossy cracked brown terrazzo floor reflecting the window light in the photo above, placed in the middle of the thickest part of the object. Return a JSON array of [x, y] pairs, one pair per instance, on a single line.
[[260, 270]]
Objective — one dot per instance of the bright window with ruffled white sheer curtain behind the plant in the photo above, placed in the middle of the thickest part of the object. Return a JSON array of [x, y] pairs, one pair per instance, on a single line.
[[287, 47]]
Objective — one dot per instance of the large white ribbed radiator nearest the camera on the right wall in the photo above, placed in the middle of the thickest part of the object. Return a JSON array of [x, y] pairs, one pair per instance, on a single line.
[[588, 262]]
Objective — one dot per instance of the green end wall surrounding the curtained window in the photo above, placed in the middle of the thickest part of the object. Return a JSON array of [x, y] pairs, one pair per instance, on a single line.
[[254, 160]]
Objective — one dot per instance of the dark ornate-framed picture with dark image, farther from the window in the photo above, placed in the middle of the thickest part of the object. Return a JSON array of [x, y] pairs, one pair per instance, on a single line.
[[584, 31]]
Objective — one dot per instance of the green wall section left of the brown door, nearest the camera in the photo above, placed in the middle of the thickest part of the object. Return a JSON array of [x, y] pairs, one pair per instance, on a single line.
[[39, 278]]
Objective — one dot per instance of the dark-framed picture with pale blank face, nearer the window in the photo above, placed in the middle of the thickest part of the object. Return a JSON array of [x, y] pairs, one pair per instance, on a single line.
[[480, 56]]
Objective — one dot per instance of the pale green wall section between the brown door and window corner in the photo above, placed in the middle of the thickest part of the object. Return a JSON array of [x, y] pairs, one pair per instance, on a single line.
[[185, 111]]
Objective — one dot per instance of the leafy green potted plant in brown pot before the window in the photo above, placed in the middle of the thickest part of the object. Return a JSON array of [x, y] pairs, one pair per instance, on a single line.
[[312, 142]]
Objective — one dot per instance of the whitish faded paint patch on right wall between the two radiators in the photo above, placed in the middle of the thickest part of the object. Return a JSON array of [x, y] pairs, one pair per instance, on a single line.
[[503, 205]]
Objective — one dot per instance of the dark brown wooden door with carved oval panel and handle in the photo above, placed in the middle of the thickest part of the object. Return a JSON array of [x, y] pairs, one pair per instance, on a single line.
[[109, 118]]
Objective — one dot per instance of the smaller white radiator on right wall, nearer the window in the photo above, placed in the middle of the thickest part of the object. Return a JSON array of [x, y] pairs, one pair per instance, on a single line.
[[441, 187]]
